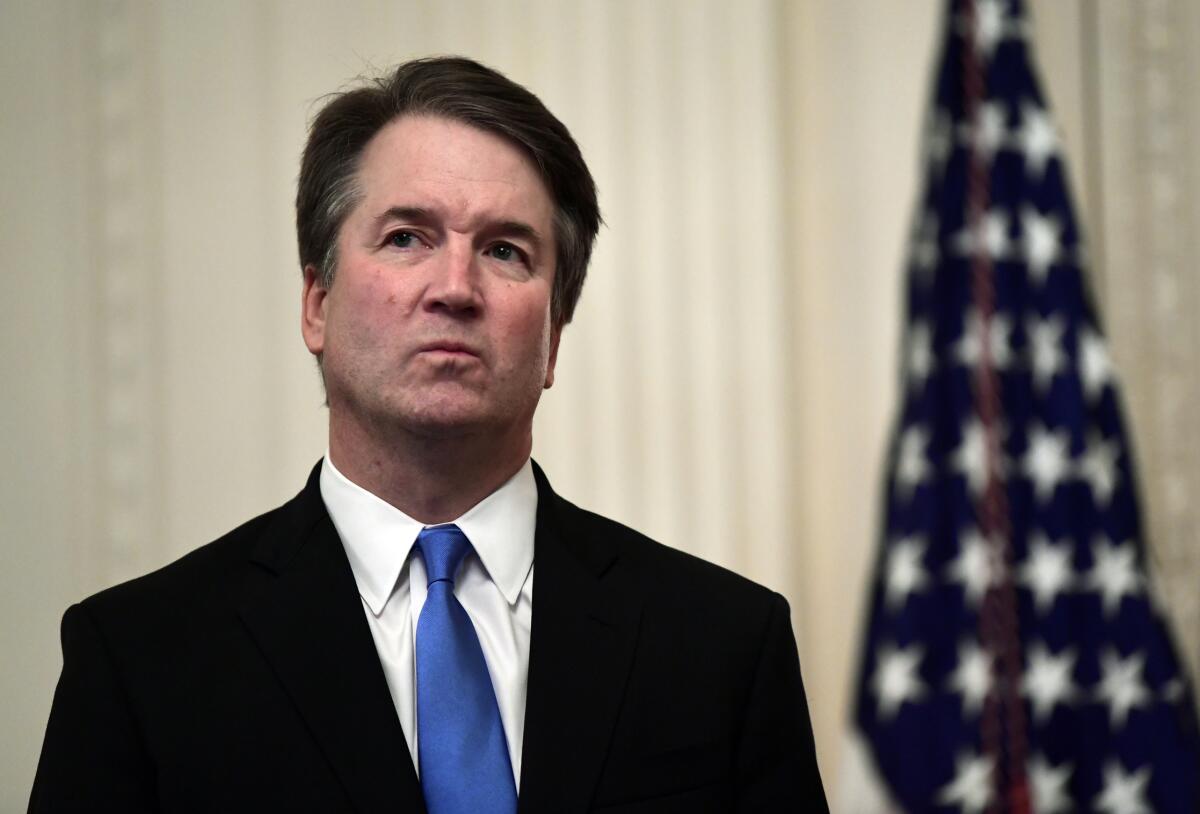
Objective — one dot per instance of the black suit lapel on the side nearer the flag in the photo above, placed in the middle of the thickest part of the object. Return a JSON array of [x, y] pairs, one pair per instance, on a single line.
[[585, 629]]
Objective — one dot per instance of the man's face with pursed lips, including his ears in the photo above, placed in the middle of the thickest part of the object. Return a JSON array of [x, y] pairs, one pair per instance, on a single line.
[[439, 319]]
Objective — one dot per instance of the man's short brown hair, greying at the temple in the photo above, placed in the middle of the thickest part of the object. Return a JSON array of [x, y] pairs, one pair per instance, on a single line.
[[461, 91]]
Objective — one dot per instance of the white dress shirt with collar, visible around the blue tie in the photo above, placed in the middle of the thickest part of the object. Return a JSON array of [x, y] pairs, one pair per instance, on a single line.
[[495, 585]]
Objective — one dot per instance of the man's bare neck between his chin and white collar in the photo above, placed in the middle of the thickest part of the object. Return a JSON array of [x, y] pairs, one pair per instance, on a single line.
[[433, 481]]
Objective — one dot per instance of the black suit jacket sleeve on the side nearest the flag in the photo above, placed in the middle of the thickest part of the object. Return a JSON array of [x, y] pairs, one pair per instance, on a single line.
[[777, 761]]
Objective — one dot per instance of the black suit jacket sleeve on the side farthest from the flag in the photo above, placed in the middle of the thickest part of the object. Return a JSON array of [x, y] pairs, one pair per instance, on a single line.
[[94, 756]]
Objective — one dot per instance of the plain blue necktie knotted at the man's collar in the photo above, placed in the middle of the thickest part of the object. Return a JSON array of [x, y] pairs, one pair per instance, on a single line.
[[464, 757]]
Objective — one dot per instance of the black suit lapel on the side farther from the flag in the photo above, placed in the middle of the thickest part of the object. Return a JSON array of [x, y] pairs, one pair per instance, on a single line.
[[305, 615]]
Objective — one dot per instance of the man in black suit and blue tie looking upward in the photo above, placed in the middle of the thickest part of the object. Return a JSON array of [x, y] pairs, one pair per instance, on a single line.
[[376, 644]]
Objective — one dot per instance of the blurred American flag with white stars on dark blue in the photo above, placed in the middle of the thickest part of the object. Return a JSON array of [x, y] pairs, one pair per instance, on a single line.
[[1016, 655]]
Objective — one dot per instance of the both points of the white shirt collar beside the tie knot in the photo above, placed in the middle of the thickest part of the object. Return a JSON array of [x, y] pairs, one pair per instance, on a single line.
[[379, 537]]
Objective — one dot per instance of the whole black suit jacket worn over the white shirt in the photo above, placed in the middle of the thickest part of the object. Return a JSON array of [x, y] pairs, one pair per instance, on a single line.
[[244, 678]]
